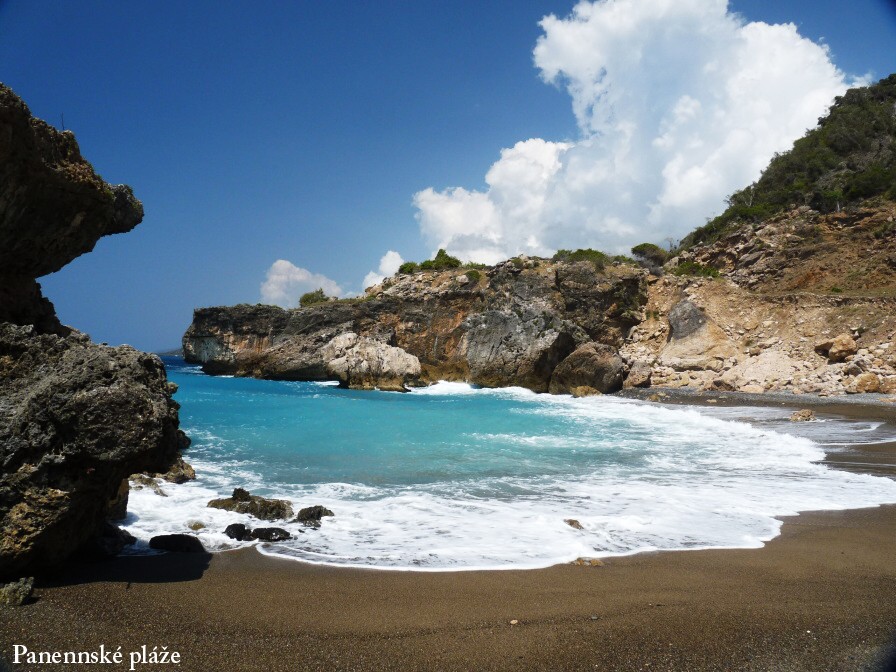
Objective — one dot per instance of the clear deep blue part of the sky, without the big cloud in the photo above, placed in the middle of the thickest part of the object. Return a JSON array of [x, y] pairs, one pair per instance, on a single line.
[[307, 131]]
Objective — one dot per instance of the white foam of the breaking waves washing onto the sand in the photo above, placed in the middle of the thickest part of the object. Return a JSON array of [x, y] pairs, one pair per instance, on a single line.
[[693, 481]]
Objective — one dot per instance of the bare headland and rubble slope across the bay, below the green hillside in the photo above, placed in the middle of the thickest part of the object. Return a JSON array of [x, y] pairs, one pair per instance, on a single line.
[[786, 287]]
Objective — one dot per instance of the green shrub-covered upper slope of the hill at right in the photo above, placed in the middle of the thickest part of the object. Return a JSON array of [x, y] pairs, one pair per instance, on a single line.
[[849, 156]]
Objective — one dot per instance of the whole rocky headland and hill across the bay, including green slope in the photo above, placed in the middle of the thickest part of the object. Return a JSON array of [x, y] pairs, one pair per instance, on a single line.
[[792, 288]]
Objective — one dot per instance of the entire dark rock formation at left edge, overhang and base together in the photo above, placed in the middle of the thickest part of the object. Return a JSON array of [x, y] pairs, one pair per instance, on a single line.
[[76, 418]]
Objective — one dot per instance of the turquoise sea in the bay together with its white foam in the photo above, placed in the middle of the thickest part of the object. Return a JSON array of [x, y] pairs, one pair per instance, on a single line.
[[452, 477]]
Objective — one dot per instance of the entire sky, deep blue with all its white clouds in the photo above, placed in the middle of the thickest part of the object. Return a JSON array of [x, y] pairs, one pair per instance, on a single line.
[[280, 147]]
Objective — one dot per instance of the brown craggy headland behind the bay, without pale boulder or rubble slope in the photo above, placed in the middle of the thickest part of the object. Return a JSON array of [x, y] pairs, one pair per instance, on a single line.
[[511, 325]]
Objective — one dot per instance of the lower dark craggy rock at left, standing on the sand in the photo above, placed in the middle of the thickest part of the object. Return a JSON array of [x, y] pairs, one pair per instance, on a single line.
[[77, 419]]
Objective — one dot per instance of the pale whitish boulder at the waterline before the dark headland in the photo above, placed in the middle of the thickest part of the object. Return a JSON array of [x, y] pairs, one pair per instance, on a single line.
[[366, 364]]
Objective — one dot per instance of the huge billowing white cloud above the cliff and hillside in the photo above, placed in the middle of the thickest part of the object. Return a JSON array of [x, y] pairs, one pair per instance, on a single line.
[[678, 104]]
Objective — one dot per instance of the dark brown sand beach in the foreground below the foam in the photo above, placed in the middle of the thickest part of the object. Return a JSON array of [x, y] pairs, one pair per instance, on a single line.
[[821, 596]]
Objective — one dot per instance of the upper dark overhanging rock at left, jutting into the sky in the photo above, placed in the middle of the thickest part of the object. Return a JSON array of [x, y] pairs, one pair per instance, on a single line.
[[53, 208]]
